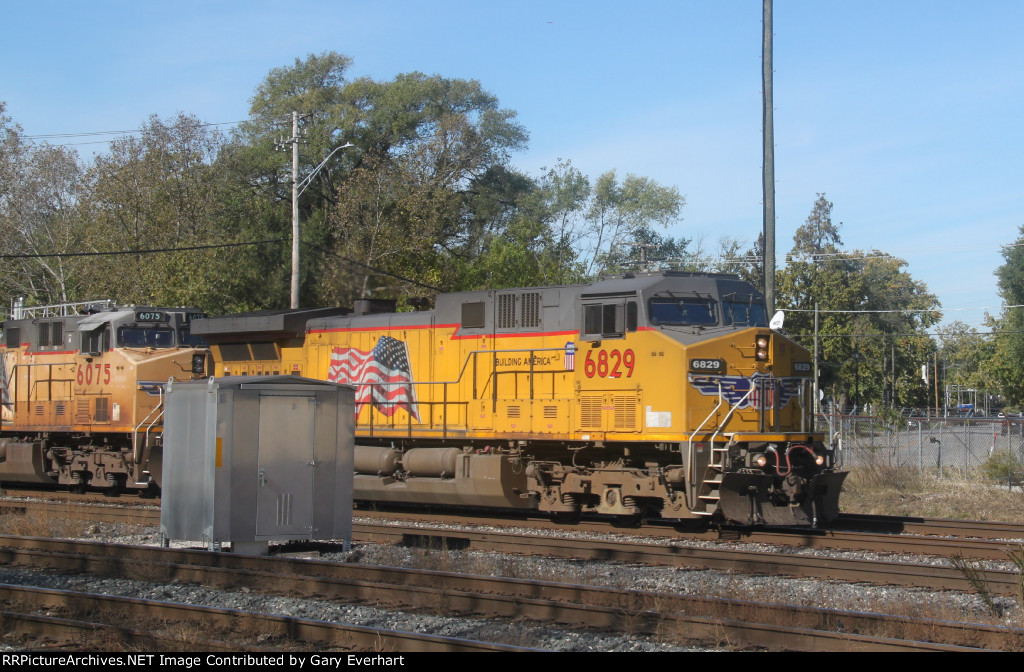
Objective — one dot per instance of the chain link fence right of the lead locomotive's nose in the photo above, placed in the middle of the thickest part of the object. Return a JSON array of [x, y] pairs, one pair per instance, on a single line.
[[934, 445]]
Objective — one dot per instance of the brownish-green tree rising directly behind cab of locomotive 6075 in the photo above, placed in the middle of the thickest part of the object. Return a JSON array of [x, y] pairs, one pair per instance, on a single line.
[[160, 192]]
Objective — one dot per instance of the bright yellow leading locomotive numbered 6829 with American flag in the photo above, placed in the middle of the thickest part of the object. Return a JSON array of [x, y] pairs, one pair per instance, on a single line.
[[659, 394]]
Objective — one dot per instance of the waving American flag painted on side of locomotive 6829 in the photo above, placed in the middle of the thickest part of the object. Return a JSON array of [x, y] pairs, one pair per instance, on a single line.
[[382, 375]]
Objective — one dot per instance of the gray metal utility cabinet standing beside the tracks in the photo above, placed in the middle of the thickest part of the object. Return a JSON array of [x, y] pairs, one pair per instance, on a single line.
[[254, 459]]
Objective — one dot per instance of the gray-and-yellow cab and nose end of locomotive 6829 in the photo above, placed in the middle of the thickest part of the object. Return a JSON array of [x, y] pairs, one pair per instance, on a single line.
[[721, 390]]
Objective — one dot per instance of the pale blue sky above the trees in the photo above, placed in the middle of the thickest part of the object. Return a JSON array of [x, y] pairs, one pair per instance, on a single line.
[[907, 115]]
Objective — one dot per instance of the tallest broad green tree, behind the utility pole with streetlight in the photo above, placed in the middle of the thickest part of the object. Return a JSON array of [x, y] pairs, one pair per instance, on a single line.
[[428, 150]]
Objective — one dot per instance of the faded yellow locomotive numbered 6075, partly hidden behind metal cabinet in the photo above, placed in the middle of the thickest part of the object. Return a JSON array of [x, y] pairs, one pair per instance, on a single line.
[[82, 392]]
